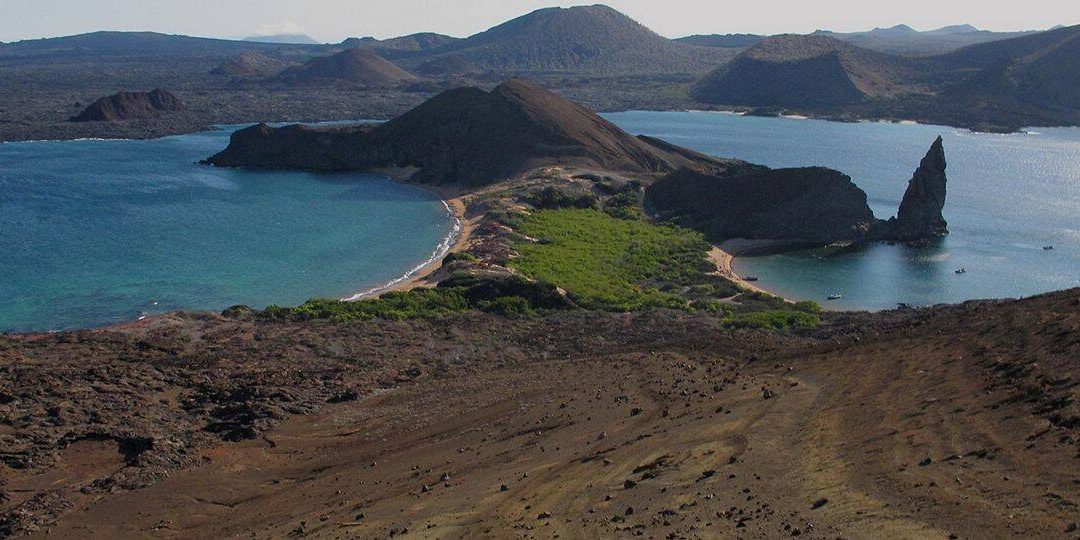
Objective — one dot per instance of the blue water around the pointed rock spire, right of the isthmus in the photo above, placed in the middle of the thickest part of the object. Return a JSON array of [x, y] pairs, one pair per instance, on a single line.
[[1009, 196]]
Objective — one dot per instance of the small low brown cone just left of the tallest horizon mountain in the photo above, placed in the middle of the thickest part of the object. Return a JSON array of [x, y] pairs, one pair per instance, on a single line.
[[359, 66]]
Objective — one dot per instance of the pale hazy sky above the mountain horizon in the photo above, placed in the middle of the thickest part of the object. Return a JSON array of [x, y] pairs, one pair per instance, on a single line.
[[332, 21]]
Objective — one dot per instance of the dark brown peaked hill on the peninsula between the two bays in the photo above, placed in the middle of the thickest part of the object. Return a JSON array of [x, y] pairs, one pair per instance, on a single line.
[[466, 136]]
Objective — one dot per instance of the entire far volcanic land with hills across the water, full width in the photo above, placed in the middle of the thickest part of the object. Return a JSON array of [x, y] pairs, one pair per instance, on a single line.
[[960, 76]]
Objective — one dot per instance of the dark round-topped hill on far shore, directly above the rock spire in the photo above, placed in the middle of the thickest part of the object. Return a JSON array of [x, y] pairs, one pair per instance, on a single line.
[[805, 72]]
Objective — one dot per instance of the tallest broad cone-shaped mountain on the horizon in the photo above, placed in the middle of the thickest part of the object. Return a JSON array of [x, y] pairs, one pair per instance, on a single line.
[[593, 39]]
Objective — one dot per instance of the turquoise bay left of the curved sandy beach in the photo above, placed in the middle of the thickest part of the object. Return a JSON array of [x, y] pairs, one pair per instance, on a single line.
[[94, 233]]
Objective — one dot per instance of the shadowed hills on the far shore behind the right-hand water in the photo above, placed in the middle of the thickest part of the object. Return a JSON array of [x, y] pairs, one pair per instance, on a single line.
[[997, 86]]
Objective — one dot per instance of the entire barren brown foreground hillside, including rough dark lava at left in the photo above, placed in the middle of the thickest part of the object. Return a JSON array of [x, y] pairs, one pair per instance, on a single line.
[[958, 421]]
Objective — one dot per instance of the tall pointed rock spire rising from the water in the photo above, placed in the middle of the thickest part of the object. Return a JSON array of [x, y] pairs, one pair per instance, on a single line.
[[921, 212]]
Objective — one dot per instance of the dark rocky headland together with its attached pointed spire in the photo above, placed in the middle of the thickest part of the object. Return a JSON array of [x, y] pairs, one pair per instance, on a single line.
[[809, 206]]
